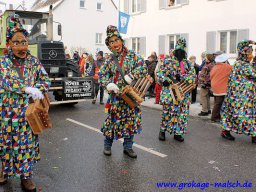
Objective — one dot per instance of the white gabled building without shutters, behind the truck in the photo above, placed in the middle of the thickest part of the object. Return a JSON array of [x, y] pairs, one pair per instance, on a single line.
[[84, 22]]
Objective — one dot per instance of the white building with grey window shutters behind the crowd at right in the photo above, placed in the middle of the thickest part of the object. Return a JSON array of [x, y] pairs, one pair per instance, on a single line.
[[208, 25]]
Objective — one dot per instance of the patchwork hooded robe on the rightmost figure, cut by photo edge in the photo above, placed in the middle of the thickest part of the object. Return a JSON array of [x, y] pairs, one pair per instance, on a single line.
[[239, 107]]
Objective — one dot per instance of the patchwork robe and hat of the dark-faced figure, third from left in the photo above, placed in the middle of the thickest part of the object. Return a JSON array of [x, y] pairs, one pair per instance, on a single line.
[[175, 114]]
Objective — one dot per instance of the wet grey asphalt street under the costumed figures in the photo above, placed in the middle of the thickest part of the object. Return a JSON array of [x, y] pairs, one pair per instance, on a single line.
[[72, 158]]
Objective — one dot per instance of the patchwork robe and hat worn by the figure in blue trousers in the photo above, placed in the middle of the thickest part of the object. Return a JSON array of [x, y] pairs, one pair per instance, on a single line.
[[122, 121]]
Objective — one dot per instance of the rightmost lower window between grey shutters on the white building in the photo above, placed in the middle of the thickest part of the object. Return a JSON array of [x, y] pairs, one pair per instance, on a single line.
[[228, 41]]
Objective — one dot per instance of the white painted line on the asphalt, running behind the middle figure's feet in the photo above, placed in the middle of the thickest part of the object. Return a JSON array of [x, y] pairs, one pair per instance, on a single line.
[[149, 150]]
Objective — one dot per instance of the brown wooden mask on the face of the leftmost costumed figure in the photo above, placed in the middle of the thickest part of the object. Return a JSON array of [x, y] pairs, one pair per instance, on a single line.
[[19, 45]]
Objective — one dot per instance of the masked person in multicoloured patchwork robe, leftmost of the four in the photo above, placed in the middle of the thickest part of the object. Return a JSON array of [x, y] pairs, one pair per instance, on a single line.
[[22, 76]]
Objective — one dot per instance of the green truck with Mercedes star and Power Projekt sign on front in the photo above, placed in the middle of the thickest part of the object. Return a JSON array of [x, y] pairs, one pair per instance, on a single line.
[[67, 85]]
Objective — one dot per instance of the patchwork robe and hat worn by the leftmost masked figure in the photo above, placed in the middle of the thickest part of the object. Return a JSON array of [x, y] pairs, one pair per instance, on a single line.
[[19, 147]]
